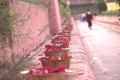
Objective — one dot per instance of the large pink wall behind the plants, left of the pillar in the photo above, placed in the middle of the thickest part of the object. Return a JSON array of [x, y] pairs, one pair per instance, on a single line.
[[27, 32]]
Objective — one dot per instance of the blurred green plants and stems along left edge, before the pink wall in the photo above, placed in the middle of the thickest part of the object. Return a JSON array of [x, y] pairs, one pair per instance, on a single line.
[[10, 62]]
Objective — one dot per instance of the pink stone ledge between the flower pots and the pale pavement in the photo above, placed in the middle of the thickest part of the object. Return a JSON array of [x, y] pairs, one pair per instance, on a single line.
[[80, 63]]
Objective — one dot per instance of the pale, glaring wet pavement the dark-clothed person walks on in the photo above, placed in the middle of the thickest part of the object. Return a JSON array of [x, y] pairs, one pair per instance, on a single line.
[[103, 49]]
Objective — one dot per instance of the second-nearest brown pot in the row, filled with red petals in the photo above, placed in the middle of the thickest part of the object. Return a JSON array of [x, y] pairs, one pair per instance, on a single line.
[[56, 61]]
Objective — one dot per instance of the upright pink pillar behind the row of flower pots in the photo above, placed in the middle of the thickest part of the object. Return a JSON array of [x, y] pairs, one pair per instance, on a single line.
[[54, 16]]
